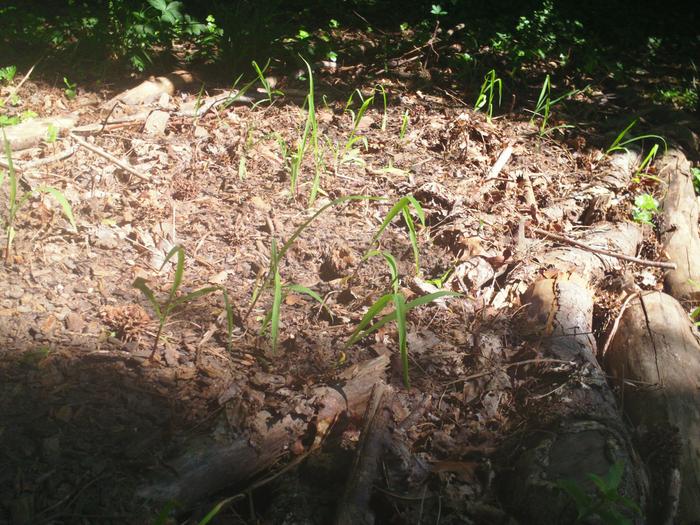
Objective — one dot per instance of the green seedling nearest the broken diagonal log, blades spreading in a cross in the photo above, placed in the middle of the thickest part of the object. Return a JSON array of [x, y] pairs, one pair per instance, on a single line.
[[400, 313]]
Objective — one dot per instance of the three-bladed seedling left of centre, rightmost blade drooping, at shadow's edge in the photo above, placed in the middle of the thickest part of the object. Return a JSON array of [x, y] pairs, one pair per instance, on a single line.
[[164, 310]]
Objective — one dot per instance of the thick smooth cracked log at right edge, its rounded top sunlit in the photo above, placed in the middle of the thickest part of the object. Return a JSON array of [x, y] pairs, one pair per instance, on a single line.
[[655, 358]]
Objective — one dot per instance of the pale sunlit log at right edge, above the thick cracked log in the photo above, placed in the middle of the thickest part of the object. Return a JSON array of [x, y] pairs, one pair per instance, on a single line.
[[679, 230]]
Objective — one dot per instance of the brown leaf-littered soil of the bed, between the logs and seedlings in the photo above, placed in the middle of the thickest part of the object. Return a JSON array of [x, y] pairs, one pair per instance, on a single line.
[[92, 406]]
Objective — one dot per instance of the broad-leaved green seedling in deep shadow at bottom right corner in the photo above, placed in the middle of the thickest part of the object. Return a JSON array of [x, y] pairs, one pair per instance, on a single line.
[[607, 505]]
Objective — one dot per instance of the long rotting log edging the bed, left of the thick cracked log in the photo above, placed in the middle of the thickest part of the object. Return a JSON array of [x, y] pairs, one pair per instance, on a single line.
[[579, 430]]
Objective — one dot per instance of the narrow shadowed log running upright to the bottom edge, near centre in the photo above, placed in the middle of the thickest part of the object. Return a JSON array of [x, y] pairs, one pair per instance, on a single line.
[[354, 508]]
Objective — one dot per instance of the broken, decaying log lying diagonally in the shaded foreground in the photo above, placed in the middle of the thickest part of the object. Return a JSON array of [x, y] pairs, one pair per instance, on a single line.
[[207, 466]]
